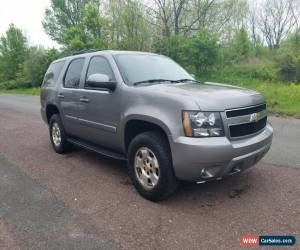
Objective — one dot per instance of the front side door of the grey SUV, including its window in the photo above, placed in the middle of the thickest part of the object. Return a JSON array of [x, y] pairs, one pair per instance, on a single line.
[[100, 108]]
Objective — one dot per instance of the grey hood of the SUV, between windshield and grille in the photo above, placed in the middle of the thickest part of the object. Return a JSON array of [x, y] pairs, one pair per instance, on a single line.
[[212, 96]]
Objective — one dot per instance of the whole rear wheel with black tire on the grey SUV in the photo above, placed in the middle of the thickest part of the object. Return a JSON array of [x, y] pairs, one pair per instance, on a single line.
[[58, 136]]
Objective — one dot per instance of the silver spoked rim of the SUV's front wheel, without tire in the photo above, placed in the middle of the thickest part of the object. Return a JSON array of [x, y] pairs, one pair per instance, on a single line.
[[146, 168]]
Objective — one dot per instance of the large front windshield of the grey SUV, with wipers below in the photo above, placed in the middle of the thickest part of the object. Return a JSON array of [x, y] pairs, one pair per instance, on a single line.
[[145, 67]]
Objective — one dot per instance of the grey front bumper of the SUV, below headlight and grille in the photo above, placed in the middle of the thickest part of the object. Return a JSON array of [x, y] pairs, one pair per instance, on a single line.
[[202, 159]]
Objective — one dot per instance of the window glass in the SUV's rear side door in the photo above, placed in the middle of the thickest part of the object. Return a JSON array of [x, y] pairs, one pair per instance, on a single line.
[[72, 78]]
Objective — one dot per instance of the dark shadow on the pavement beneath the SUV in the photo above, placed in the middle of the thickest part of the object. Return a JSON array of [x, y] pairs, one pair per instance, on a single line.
[[213, 192]]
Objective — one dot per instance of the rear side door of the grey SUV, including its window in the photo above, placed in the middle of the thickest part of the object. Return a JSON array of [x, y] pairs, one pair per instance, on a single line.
[[68, 96]]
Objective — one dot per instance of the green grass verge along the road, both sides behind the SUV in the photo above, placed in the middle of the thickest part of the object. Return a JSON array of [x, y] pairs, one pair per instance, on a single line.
[[282, 99]]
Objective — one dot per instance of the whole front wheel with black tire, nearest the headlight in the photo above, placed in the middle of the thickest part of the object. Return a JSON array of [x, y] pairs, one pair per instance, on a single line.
[[150, 166]]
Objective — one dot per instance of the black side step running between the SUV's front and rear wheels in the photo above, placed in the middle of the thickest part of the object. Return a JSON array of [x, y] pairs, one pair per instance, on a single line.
[[99, 150]]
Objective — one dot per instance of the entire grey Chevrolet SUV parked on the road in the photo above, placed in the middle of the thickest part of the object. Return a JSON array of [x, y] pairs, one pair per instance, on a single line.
[[146, 109]]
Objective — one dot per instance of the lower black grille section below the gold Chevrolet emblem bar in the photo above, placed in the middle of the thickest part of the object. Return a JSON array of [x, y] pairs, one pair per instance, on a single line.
[[248, 128]]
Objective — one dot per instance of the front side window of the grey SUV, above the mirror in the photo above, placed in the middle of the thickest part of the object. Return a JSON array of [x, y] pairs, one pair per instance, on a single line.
[[99, 65]]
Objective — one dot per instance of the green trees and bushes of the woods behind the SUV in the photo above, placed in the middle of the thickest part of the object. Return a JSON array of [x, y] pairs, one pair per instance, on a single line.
[[234, 41]]
